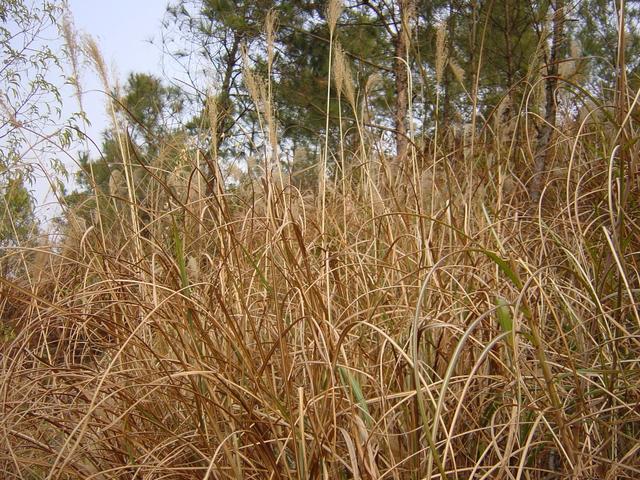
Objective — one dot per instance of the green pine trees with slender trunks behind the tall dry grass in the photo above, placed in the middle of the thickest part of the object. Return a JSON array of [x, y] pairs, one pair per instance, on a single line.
[[417, 75]]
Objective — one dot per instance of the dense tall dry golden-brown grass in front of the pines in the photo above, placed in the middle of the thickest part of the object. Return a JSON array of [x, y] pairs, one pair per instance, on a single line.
[[379, 333]]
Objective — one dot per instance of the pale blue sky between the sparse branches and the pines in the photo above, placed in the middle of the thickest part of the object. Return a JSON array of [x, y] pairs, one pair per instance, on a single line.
[[124, 30]]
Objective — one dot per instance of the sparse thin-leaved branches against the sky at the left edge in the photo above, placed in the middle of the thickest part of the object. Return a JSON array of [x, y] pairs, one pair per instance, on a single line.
[[30, 104]]
